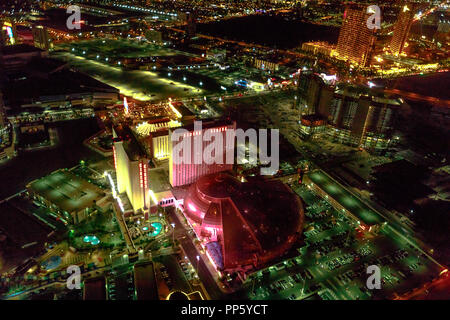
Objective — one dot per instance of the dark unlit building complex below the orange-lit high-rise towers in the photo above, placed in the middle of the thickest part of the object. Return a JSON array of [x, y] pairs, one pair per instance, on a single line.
[[351, 115]]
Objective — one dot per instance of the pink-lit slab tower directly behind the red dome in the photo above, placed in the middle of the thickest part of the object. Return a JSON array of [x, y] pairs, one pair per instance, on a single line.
[[194, 165]]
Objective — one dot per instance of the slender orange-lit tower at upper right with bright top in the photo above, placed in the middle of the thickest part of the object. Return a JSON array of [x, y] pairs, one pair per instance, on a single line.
[[401, 28]]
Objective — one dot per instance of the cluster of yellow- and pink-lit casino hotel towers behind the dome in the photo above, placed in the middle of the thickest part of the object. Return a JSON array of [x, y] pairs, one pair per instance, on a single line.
[[142, 149]]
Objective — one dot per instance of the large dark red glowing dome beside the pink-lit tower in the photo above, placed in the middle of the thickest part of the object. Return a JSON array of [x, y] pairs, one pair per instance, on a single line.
[[243, 225]]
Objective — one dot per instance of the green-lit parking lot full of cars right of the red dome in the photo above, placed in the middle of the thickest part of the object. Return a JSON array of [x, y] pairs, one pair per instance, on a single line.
[[332, 264]]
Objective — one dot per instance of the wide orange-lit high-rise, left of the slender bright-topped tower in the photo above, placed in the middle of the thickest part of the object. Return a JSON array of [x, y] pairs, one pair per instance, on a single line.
[[356, 40]]
